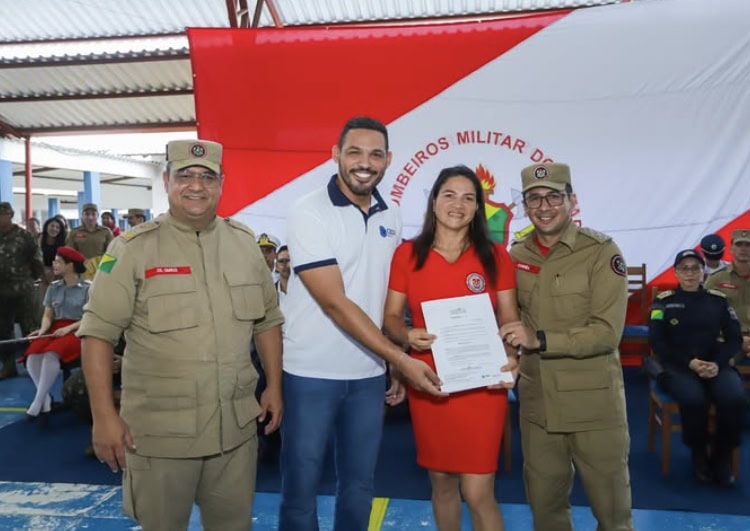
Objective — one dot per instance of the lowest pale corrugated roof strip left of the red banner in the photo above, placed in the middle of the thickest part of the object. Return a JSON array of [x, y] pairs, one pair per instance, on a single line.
[[79, 114]]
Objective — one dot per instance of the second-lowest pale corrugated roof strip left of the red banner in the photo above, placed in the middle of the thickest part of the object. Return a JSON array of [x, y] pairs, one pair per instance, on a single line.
[[95, 78]]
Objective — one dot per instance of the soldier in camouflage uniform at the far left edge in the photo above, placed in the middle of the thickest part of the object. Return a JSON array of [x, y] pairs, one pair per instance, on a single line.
[[20, 265]]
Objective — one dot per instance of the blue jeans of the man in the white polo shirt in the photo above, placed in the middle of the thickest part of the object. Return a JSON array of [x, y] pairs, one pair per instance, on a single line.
[[314, 410]]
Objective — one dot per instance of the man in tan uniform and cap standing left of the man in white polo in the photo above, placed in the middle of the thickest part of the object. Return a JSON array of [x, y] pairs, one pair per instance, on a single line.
[[190, 290]]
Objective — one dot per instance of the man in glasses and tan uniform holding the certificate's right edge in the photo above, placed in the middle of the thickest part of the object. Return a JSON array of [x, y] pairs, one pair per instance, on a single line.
[[572, 291]]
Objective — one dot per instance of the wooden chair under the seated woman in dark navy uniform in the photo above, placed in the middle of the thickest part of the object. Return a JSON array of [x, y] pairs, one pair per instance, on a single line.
[[663, 411]]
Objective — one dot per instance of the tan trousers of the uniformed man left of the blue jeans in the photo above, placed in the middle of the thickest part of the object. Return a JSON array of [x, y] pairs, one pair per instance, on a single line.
[[159, 492]]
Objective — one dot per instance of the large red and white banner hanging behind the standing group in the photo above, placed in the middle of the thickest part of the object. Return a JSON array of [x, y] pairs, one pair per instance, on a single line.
[[649, 103]]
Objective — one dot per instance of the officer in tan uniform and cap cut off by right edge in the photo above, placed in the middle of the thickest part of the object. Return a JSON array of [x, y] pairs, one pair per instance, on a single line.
[[734, 281]]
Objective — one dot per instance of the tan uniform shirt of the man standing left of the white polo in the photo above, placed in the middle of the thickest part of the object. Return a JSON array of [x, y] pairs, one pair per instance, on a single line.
[[189, 304]]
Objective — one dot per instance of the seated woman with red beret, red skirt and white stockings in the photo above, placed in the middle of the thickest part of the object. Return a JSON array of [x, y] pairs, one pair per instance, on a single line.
[[63, 309]]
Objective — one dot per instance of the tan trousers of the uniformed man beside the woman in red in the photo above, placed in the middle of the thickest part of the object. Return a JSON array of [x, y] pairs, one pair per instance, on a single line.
[[601, 459]]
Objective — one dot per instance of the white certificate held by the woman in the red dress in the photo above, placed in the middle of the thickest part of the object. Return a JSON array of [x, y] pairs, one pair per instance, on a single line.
[[468, 350]]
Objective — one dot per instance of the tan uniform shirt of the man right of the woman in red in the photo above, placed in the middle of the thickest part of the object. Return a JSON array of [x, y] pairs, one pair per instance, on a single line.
[[577, 295]]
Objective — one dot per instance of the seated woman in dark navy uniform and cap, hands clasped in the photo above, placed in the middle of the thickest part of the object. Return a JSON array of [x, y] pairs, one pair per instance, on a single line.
[[694, 333]]
